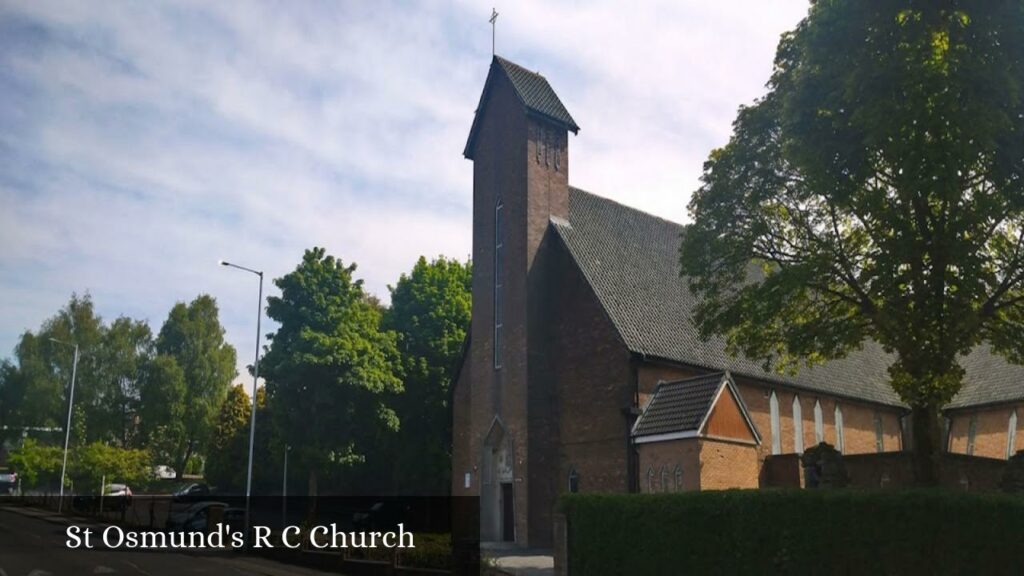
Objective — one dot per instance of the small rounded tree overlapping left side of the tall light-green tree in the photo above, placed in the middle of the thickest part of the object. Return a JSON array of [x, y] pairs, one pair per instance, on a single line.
[[162, 408]]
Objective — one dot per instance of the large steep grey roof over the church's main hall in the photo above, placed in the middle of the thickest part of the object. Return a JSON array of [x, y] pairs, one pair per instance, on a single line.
[[631, 260]]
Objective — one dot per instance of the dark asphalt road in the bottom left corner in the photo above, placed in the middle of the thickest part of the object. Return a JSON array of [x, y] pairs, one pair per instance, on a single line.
[[36, 546]]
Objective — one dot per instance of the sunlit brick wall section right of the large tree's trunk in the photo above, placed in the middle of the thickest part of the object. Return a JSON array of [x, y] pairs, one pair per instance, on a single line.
[[992, 431]]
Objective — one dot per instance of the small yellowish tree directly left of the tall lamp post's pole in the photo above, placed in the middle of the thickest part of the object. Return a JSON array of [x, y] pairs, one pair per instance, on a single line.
[[228, 459]]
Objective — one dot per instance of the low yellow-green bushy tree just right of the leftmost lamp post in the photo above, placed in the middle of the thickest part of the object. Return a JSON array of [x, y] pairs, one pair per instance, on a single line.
[[97, 462]]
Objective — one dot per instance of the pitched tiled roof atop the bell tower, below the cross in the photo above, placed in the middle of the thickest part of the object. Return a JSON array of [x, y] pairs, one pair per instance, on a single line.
[[533, 91]]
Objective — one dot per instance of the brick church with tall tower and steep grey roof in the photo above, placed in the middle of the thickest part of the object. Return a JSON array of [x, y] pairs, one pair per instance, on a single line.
[[584, 372]]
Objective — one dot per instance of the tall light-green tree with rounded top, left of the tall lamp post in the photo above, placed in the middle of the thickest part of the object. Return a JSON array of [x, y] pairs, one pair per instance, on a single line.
[[194, 338]]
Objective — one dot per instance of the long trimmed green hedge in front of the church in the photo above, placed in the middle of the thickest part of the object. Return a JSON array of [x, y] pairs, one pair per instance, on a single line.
[[804, 532]]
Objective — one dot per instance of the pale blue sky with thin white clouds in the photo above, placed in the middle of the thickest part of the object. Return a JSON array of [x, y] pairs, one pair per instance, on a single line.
[[142, 143]]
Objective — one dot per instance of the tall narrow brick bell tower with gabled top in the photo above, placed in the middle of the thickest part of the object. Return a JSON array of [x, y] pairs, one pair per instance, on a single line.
[[520, 147]]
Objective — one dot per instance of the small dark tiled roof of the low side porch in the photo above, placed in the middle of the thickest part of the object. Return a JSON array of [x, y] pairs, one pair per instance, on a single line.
[[678, 407]]
